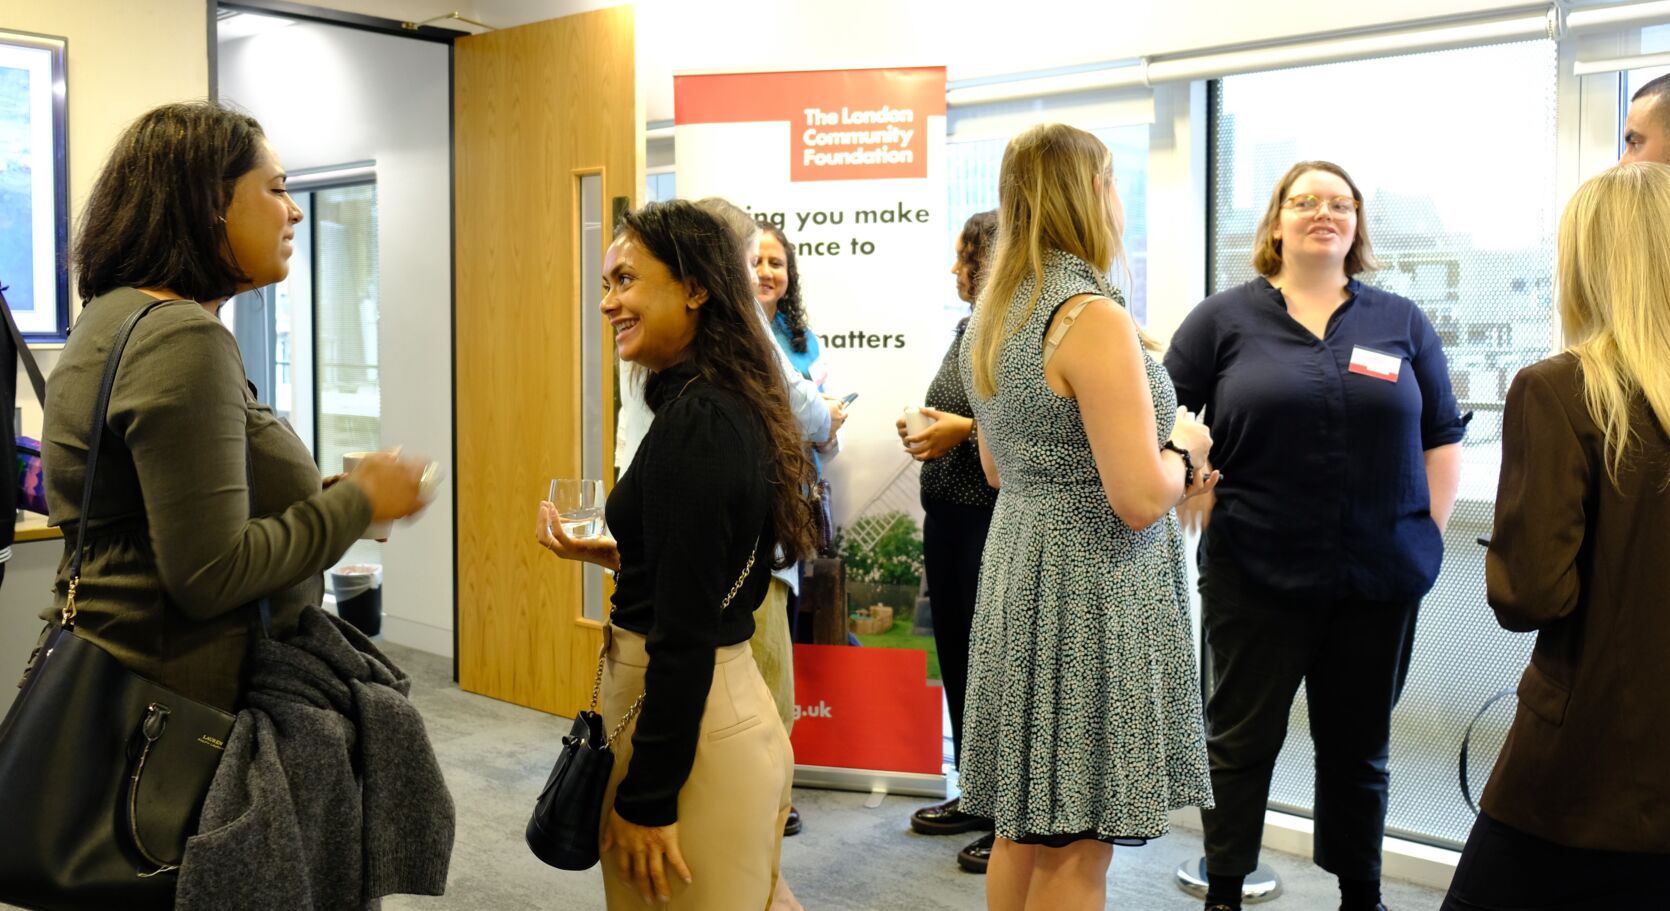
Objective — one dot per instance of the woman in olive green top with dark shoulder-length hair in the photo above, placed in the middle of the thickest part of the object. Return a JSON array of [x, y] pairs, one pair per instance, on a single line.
[[191, 208]]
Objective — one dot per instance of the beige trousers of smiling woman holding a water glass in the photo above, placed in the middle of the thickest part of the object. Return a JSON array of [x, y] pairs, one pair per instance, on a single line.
[[732, 807]]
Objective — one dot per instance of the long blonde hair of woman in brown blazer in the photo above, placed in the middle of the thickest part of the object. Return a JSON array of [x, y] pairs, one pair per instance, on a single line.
[[1616, 298]]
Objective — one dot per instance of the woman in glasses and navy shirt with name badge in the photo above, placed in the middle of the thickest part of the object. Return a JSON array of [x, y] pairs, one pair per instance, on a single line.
[[1339, 440]]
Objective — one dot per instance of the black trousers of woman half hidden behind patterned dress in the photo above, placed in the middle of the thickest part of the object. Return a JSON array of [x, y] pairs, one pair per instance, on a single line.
[[953, 543]]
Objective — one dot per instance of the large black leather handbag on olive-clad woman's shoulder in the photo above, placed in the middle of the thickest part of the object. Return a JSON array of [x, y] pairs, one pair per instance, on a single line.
[[103, 773]]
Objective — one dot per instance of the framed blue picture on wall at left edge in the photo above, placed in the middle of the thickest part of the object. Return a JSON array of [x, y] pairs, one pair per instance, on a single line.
[[34, 184]]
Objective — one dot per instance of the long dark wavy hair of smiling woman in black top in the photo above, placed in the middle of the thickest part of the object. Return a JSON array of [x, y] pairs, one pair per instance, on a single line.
[[734, 353]]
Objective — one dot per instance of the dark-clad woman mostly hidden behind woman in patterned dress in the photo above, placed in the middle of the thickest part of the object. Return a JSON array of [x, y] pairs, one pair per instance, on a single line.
[[958, 506]]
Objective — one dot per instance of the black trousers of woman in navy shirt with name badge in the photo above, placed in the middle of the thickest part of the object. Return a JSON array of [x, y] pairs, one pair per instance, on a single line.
[[1354, 658]]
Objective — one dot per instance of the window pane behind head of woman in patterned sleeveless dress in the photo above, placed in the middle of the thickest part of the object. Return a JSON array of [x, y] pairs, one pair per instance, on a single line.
[[973, 188]]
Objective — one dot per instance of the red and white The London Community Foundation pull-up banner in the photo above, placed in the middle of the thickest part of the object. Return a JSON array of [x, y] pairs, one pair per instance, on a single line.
[[851, 166]]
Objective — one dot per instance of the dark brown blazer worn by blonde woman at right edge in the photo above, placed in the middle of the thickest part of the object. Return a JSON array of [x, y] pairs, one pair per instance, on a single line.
[[1586, 565]]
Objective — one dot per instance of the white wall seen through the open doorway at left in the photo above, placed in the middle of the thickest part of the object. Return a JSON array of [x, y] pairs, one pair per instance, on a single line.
[[331, 96]]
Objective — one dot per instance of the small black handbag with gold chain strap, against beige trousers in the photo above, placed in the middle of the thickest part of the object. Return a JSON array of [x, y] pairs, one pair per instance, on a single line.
[[569, 813]]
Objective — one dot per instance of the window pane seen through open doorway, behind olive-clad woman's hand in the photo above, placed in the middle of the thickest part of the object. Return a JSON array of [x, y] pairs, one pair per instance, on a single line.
[[347, 330]]
